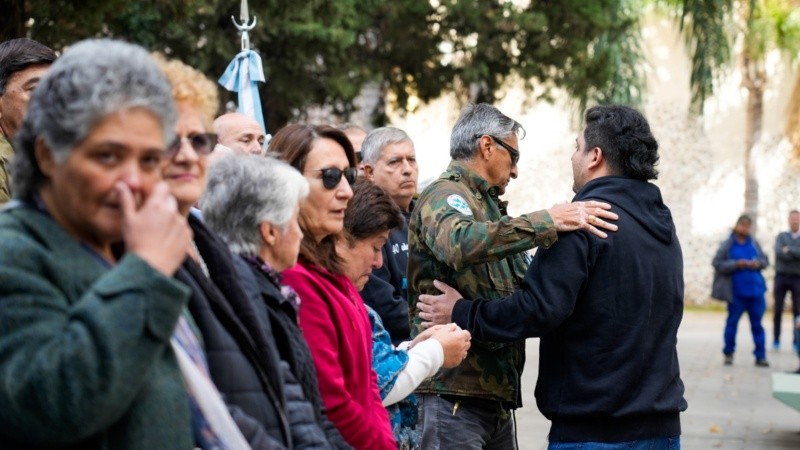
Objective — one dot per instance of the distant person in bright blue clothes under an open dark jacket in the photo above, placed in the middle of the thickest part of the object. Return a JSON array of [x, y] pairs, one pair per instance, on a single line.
[[737, 280]]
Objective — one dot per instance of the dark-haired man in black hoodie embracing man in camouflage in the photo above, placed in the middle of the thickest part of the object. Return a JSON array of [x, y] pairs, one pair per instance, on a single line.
[[607, 310]]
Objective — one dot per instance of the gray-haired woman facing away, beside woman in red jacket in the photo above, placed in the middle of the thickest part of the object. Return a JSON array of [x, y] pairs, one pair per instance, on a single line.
[[252, 202]]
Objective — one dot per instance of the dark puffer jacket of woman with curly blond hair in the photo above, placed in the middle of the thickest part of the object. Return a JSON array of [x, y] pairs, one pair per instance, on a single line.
[[243, 360]]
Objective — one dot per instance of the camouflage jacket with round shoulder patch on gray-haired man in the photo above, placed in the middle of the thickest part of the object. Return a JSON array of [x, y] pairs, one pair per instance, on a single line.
[[460, 233]]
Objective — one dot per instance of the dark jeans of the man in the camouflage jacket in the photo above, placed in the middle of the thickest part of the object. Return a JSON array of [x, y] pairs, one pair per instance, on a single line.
[[472, 426]]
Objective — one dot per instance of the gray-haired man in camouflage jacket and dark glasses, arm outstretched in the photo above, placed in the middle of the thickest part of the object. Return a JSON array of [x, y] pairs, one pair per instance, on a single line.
[[461, 233]]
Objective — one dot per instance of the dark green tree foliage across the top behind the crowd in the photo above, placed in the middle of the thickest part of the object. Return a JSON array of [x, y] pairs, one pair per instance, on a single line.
[[321, 52]]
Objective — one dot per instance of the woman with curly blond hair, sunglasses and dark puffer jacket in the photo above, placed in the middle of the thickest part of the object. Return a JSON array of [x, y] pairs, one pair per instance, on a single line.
[[242, 360]]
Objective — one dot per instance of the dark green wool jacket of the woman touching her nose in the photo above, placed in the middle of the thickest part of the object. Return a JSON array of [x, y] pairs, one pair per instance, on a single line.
[[85, 359]]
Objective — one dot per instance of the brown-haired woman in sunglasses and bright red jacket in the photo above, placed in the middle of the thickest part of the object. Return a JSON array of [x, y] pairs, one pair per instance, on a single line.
[[333, 317]]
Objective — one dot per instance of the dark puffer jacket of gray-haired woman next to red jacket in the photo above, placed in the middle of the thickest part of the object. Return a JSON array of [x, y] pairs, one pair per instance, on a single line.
[[300, 375]]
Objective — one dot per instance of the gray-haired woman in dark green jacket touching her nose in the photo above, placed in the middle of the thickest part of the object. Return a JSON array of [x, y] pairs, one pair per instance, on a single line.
[[85, 329]]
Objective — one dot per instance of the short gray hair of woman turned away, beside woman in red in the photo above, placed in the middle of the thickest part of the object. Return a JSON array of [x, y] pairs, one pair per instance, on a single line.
[[244, 191]]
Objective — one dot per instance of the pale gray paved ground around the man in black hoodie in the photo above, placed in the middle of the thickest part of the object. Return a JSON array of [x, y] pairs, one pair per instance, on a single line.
[[730, 407]]
